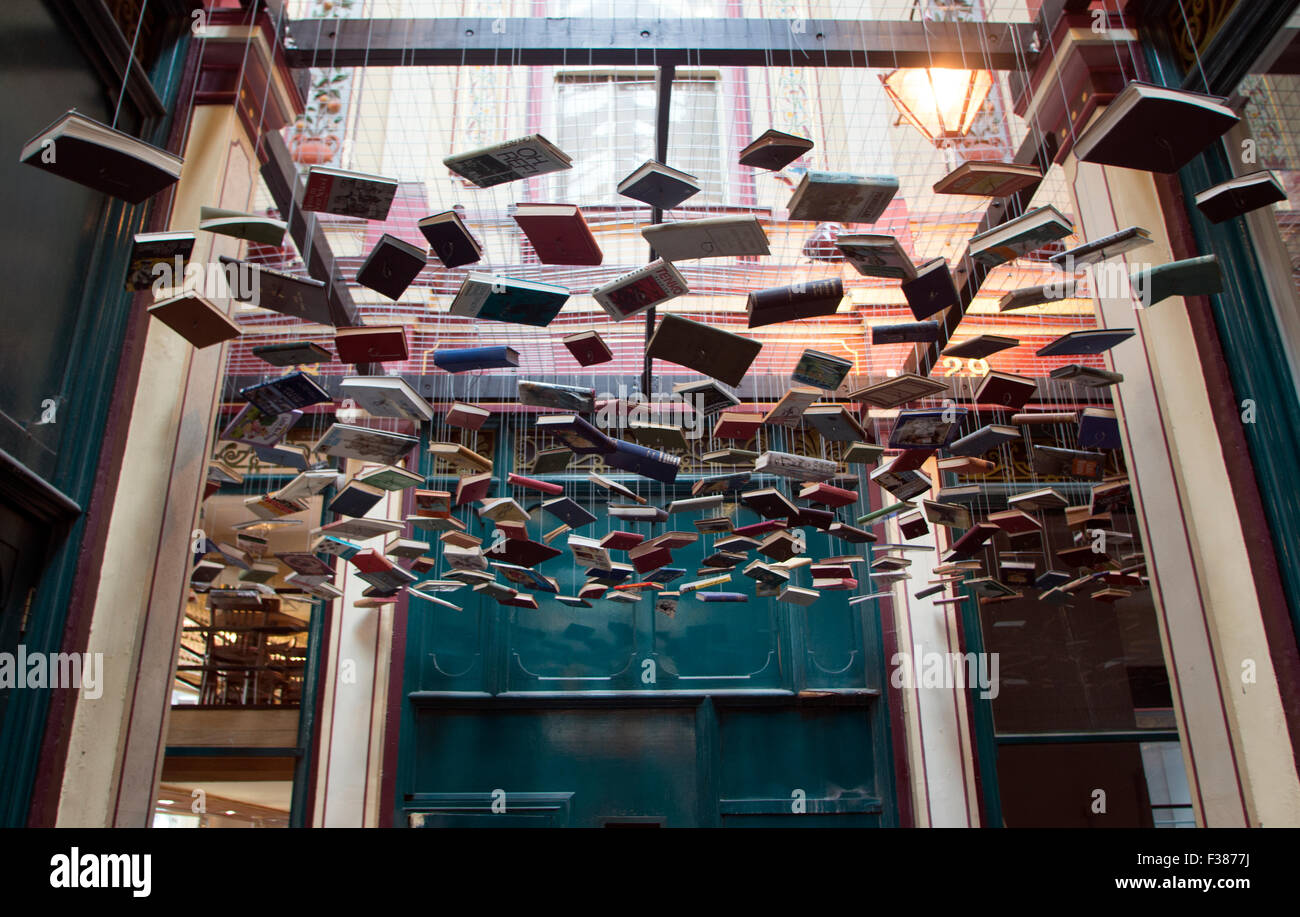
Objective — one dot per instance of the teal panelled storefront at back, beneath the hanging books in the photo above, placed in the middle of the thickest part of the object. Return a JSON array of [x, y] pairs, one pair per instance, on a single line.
[[726, 715]]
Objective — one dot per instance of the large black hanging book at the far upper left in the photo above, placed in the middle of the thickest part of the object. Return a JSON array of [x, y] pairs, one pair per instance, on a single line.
[[101, 158]]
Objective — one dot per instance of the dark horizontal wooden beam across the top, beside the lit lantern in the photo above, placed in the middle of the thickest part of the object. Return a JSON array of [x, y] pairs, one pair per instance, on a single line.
[[453, 42]]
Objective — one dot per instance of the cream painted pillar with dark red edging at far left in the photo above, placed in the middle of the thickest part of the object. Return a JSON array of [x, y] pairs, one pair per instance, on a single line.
[[114, 756]]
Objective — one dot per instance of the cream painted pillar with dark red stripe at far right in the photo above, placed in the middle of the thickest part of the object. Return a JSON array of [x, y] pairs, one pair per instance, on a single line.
[[1234, 734]]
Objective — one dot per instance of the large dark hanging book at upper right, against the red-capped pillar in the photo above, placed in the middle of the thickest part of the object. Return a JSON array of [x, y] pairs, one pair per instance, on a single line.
[[1155, 129]]
